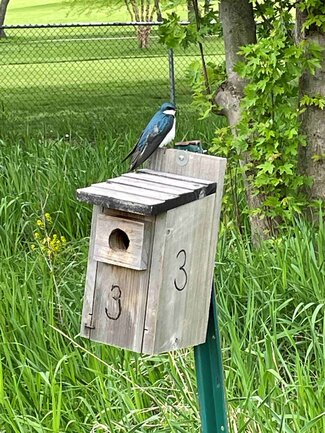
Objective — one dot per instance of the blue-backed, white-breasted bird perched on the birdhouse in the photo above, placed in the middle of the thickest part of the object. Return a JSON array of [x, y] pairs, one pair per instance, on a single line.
[[159, 132]]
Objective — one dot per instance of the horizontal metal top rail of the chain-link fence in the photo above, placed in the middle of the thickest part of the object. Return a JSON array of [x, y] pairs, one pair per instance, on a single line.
[[107, 24]]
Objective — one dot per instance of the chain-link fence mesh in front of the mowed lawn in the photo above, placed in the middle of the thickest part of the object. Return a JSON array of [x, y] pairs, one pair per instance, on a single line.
[[57, 67]]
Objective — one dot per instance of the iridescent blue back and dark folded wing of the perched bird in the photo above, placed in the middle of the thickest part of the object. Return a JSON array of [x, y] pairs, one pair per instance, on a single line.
[[150, 139]]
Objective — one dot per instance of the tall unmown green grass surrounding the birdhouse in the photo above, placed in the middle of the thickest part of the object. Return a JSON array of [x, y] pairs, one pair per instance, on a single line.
[[271, 304]]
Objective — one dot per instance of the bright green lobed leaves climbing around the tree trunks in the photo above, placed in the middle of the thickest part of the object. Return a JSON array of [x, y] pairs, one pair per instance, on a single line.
[[268, 136]]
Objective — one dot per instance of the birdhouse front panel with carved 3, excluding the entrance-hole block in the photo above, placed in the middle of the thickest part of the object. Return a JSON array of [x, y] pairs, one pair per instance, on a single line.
[[116, 297]]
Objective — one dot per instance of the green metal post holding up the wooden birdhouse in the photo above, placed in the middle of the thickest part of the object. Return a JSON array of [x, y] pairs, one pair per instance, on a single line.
[[208, 359]]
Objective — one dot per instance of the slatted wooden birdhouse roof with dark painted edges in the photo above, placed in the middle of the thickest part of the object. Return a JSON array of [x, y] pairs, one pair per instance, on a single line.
[[146, 192]]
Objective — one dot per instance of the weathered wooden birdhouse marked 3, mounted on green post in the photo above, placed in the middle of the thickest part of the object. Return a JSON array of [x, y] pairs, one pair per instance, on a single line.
[[151, 255]]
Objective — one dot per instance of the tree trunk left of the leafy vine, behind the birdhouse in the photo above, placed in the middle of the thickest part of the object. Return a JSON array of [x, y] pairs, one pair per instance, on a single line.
[[239, 29]]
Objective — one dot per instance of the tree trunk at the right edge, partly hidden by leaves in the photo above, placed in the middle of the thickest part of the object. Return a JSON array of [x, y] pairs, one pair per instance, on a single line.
[[312, 157]]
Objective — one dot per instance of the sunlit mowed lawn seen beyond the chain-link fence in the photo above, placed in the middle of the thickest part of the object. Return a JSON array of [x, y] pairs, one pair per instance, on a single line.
[[61, 68]]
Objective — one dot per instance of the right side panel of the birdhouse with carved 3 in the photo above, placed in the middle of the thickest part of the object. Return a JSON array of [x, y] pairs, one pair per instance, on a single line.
[[180, 280]]
